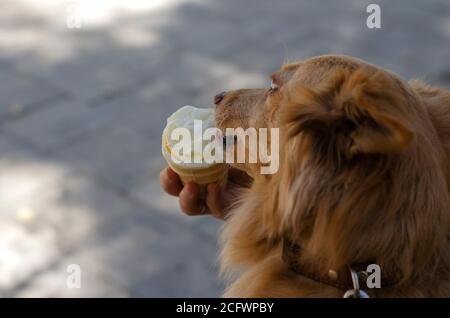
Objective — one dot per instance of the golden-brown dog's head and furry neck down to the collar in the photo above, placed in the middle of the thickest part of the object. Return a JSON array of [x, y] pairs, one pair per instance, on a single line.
[[362, 169]]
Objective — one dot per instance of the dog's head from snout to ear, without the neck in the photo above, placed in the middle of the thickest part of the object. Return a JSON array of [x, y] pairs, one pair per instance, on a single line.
[[345, 107]]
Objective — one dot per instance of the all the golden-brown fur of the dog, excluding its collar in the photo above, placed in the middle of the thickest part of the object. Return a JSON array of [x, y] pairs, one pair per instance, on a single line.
[[364, 175]]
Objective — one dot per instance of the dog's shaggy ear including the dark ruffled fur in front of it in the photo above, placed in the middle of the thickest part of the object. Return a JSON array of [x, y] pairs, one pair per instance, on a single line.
[[366, 104]]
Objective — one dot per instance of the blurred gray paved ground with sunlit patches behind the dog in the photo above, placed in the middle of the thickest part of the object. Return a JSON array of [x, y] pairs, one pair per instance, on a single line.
[[81, 113]]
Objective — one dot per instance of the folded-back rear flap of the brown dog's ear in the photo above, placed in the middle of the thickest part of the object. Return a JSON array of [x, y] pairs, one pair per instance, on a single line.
[[376, 105]]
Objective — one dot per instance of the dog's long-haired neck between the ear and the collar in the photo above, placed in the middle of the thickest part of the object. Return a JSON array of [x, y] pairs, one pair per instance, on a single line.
[[377, 214]]
